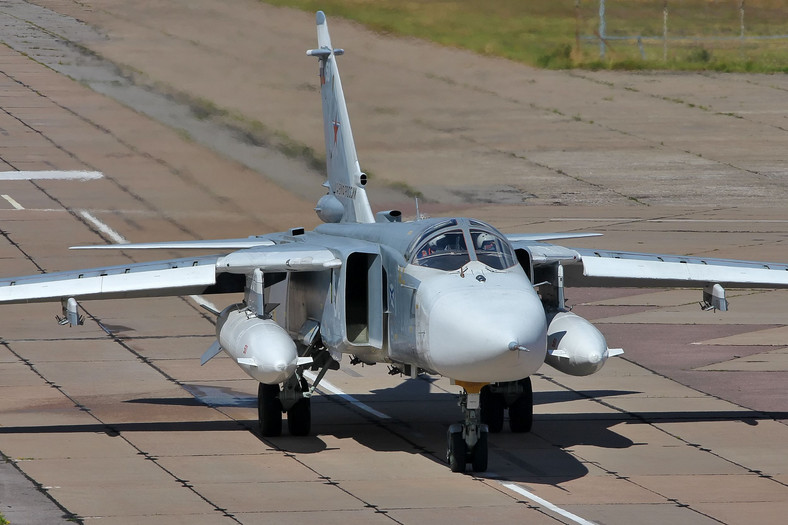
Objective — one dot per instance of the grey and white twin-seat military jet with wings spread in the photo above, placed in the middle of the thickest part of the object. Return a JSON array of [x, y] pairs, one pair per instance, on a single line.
[[450, 296]]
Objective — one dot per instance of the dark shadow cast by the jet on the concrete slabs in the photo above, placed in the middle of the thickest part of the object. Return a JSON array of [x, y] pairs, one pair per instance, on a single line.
[[417, 423]]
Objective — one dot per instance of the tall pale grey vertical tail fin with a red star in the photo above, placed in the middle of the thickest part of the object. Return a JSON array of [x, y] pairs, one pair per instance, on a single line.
[[345, 179]]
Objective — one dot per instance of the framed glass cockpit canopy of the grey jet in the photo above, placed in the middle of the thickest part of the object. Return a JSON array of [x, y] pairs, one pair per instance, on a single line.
[[451, 244]]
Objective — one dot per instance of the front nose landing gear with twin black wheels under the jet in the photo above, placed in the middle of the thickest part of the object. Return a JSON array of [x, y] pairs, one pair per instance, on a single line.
[[467, 442]]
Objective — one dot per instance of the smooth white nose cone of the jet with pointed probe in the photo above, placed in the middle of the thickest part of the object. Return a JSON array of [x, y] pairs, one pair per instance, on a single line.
[[473, 335]]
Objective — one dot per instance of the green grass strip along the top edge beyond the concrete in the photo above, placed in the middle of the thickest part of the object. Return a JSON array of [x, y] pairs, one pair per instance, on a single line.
[[543, 33]]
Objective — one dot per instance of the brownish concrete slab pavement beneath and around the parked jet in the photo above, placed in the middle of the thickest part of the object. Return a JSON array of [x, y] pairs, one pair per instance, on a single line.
[[120, 424]]
